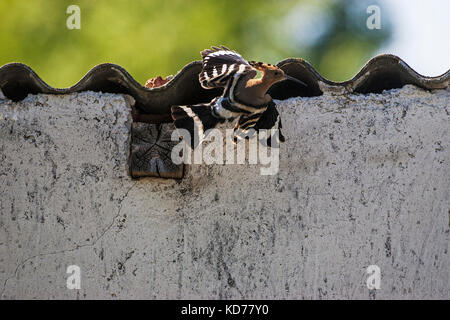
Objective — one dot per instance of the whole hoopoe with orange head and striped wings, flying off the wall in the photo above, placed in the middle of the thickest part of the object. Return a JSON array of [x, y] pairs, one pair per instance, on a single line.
[[244, 98]]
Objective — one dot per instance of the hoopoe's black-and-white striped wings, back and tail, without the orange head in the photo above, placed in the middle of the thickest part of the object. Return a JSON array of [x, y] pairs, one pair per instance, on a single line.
[[224, 68]]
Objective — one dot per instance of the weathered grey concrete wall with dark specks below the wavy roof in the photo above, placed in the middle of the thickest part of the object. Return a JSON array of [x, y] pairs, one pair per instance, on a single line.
[[363, 180]]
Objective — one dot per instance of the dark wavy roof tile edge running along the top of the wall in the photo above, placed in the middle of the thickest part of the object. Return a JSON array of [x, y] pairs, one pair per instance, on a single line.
[[380, 73]]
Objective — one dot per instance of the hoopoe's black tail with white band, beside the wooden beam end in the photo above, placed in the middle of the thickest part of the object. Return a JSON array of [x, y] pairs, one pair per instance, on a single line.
[[196, 119]]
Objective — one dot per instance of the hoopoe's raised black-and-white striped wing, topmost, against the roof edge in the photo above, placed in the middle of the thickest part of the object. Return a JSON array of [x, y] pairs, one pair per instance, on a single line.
[[220, 65]]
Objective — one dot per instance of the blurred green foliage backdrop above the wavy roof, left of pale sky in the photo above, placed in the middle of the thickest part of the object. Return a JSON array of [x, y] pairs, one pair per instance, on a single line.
[[154, 37]]
